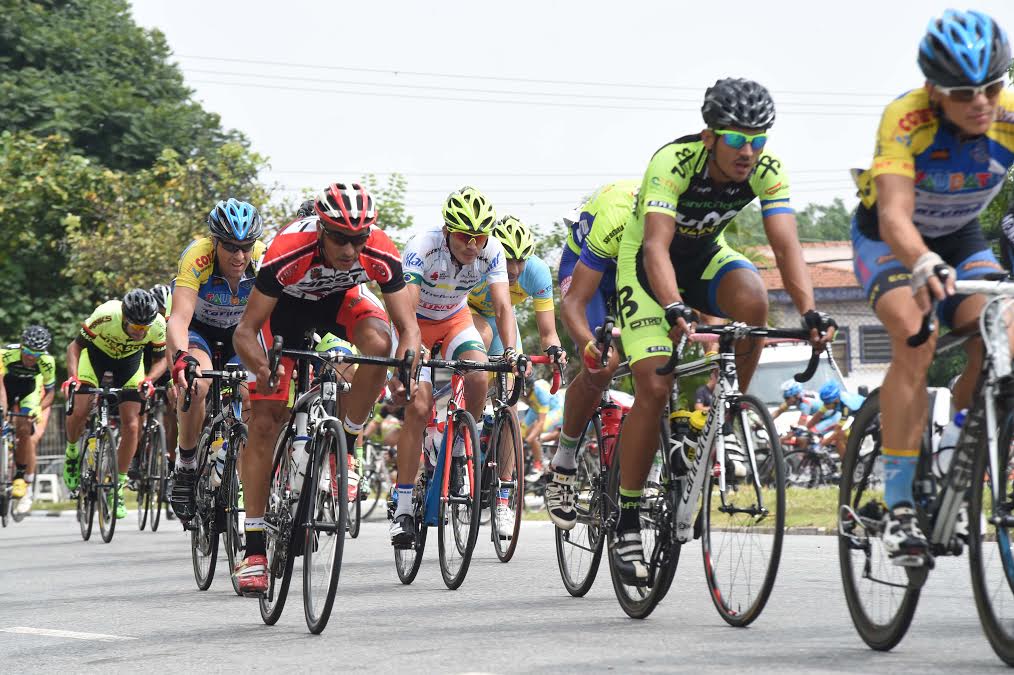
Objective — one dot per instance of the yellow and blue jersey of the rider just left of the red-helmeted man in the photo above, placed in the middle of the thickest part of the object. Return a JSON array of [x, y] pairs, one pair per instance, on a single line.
[[218, 307]]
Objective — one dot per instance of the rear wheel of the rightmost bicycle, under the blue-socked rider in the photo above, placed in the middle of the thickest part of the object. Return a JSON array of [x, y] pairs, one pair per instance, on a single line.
[[882, 597]]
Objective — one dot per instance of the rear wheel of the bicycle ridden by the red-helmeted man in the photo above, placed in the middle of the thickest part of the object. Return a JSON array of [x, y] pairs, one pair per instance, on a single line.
[[280, 524]]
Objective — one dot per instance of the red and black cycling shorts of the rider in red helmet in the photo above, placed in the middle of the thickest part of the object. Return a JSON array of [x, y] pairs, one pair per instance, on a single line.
[[293, 319]]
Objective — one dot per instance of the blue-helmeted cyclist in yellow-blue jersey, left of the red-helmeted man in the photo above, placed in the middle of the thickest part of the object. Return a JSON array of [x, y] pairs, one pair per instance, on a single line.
[[213, 284]]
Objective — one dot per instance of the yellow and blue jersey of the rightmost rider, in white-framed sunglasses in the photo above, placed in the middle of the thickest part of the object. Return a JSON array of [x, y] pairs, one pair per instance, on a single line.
[[956, 179]]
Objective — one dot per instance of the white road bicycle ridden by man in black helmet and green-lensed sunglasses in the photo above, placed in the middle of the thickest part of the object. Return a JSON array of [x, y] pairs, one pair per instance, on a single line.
[[727, 481]]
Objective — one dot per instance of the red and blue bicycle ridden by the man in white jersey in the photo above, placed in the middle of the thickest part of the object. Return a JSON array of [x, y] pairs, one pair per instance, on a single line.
[[457, 517]]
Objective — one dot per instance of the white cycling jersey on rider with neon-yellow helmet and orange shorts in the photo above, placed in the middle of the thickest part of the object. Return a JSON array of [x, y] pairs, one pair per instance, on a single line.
[[444, 284]]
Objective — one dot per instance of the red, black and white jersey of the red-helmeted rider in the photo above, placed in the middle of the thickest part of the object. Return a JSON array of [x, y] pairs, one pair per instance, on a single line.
[[295, 265]]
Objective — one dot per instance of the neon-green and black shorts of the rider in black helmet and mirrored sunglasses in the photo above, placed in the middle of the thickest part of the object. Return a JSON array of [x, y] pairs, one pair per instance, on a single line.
[[644, 331]]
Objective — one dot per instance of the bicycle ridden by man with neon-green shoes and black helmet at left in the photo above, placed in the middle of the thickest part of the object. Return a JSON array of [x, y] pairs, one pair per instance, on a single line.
[[99, 472]]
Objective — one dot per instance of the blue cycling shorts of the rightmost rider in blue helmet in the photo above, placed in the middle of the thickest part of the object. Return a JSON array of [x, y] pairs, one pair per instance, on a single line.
[[879, 271]]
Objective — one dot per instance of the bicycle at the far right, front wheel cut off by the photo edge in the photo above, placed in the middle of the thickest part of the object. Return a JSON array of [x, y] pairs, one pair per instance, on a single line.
[[981, 476]]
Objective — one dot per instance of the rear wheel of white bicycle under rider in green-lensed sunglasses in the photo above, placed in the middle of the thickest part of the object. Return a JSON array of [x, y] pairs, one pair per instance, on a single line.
[[662, 553]]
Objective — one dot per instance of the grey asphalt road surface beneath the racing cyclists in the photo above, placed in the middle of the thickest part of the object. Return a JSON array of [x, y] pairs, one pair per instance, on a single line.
[[138, 595]]
